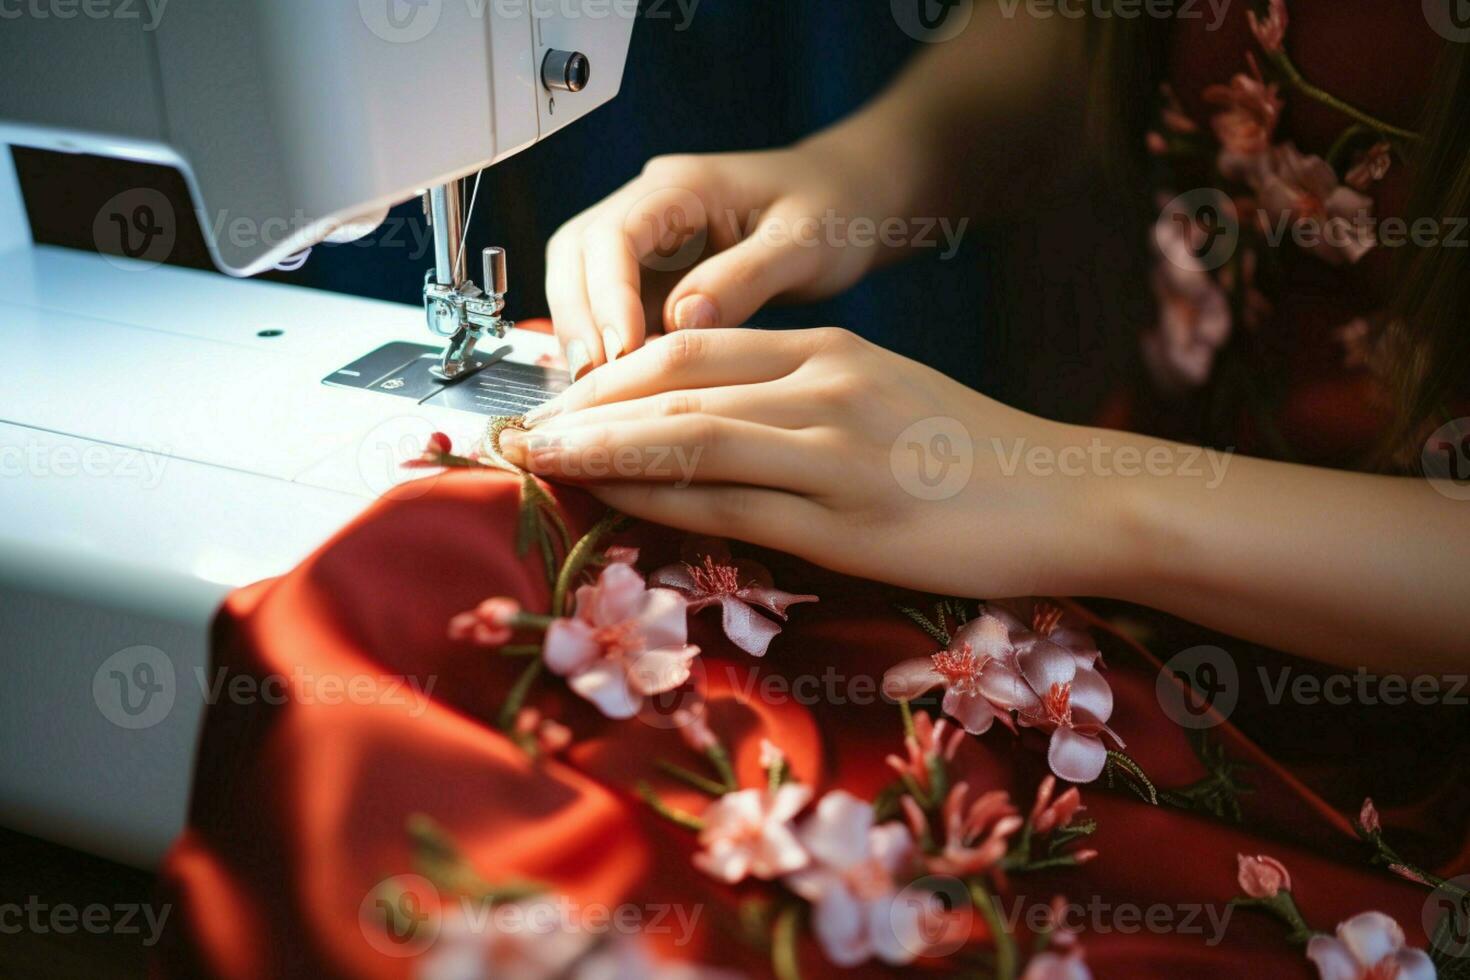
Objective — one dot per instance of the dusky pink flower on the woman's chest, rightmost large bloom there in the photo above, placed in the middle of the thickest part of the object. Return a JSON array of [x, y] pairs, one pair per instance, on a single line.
[[1305, 192]]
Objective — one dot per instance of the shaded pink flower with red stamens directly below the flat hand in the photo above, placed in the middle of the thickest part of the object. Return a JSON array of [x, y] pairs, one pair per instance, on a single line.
[[739, 587]]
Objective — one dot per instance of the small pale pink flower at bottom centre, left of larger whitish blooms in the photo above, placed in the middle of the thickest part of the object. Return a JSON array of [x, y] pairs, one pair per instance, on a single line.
[[749, 834]]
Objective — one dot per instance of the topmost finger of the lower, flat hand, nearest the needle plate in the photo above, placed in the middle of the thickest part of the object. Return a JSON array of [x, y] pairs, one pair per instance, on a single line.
[[686, 361]]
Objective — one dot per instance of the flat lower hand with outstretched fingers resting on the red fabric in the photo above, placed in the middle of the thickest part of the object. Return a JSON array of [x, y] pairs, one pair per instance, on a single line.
[[822, 444]]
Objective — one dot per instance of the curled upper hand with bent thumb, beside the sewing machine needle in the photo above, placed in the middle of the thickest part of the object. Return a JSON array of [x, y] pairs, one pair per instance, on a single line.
[[702, 242]]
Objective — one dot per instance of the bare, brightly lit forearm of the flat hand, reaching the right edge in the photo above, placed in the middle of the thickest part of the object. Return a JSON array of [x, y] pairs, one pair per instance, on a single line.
[[1350, 569]]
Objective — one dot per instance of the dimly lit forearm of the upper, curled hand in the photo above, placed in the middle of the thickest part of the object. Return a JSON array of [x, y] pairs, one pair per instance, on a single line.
[[967, 129]]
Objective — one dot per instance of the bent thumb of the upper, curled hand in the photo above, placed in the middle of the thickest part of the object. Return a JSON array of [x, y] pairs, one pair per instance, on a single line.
[[727, 290]]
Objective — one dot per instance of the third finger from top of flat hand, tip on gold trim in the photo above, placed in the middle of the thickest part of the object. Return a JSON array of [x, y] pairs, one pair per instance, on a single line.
[[678, 450]]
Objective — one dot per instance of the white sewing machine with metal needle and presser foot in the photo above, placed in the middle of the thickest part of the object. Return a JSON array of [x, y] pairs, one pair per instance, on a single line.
[[168, 436]]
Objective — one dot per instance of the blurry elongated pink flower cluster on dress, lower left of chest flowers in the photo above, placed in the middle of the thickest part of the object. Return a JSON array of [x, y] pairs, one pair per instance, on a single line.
[[1194, 314]]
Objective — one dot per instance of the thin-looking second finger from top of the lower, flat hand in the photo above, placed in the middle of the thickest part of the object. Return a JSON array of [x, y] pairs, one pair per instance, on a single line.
[[767, 403]]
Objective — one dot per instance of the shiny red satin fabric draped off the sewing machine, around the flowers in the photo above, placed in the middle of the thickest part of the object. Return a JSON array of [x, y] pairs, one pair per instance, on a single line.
[[301, 809]]
